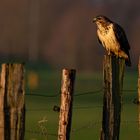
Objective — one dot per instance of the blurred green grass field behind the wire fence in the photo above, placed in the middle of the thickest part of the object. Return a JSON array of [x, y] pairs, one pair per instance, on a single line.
[[87, 108]]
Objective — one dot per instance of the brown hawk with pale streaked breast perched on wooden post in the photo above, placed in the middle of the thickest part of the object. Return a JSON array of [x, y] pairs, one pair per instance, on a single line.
[[113, 38]]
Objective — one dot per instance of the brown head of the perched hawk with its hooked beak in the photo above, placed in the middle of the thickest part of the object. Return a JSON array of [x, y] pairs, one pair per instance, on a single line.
[[101, 20]]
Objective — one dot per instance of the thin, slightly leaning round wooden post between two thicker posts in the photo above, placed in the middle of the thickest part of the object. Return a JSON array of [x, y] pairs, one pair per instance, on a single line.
[[67, 89]]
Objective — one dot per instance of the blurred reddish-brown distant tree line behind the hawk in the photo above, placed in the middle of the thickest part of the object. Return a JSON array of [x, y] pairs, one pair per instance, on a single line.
[[61, 32]]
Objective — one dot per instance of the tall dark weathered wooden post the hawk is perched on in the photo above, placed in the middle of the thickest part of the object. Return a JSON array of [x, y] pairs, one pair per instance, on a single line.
[[113, 84]]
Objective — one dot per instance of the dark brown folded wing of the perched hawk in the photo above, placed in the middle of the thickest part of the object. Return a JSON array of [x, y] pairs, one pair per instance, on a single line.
[[121, 37]]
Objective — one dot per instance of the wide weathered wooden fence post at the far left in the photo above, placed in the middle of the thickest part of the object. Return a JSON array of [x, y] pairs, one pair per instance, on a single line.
[[12, 107]]
